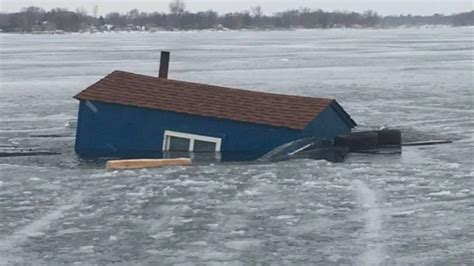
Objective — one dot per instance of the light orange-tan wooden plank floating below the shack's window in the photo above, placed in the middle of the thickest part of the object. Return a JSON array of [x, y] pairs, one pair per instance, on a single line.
[[146, 163]]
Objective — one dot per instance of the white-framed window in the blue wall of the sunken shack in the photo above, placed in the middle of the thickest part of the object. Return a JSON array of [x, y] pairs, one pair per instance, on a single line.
[[177, 141]]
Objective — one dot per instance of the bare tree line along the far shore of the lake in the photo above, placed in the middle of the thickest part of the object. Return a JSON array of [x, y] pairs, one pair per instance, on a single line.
[[33, 19]]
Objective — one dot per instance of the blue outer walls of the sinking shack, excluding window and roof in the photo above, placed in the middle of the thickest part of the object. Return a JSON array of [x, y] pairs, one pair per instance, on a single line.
[[113, 130]]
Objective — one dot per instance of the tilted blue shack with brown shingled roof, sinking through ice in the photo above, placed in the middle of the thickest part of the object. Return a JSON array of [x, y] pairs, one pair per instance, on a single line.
[[130, 115]]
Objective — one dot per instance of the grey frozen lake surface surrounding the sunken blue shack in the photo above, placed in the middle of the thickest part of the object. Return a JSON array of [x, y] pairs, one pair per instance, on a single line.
[[417, 207]]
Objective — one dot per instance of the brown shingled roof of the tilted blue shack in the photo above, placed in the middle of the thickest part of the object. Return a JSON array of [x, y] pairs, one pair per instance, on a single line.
[[205, 100]]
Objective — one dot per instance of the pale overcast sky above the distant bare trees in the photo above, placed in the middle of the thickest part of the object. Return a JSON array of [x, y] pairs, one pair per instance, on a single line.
[[383, 7]]
